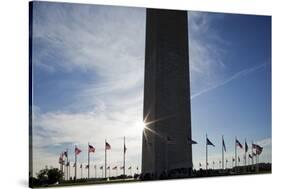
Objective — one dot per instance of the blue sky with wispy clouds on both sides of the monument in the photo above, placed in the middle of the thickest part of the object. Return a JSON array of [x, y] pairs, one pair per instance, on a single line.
[[88, 71]]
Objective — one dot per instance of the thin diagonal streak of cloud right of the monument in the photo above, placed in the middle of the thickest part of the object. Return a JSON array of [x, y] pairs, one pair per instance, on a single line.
[[237, 75]]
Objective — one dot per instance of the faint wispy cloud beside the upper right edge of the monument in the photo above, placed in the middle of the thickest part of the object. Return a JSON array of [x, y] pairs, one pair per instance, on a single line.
[[207, 50]]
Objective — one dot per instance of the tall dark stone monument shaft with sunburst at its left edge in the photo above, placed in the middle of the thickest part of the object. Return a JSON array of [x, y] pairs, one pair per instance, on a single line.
[[166, 150]]
